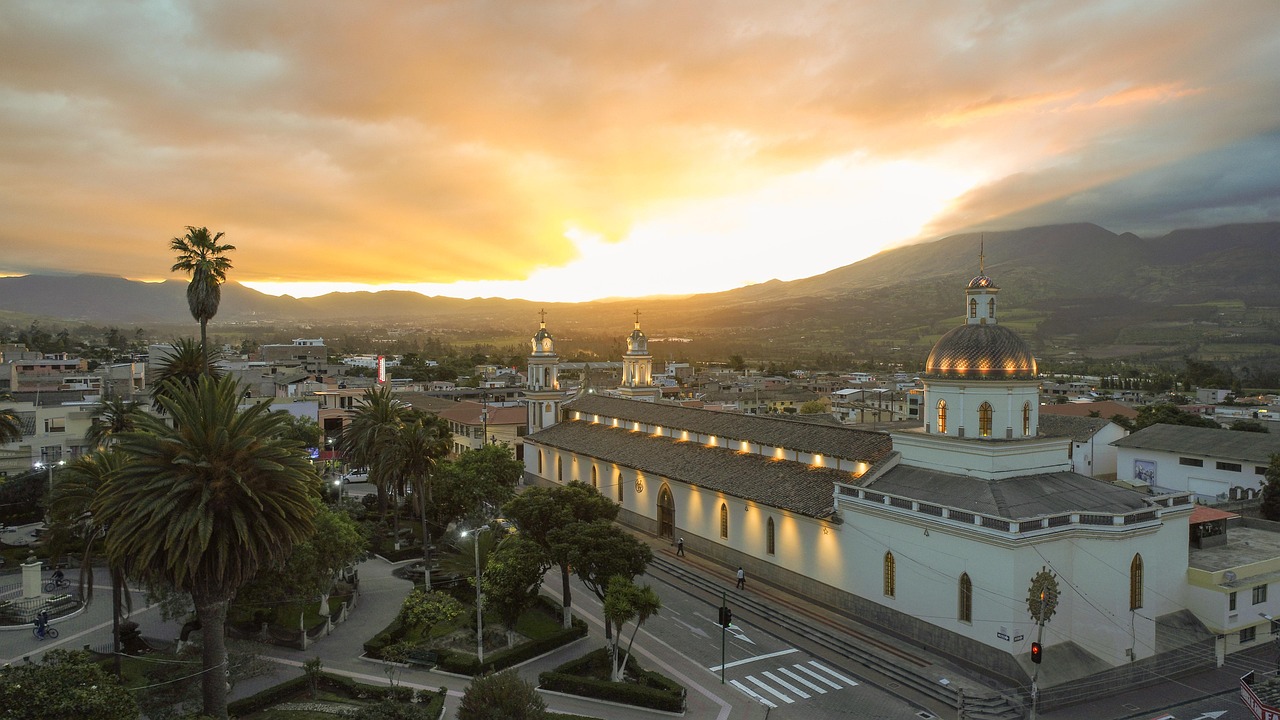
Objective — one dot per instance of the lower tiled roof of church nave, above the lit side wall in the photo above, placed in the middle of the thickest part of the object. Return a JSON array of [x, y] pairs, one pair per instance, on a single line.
[[779, 484]]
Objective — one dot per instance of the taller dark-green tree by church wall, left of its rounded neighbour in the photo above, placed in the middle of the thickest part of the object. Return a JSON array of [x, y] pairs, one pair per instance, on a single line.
[[538, 512]]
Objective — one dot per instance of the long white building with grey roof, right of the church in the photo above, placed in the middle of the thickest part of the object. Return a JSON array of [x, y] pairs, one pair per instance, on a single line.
[[1215, 464]]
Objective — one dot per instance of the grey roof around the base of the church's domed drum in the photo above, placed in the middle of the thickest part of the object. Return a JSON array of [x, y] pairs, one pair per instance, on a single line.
[[1025, 496]]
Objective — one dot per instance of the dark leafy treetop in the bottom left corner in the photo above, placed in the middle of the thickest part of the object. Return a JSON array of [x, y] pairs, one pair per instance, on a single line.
[[66, 685]]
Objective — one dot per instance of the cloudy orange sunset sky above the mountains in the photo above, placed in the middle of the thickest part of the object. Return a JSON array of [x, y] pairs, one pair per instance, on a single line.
[[577, 151]]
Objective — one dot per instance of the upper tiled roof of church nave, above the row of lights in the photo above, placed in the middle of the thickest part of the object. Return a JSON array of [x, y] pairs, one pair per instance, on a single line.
[[771, 431]]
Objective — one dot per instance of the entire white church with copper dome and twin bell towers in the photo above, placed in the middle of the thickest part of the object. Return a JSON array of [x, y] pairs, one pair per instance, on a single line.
[[968, 535]]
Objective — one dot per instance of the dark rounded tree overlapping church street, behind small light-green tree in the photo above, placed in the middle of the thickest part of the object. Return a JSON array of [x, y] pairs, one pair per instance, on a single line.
[[601, 552]]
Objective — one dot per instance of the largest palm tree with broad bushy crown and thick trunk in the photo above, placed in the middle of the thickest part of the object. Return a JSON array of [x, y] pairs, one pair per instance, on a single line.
[[202, 505]]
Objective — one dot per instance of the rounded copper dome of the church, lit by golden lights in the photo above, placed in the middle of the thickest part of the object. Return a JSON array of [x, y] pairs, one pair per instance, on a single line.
[[981, 353]]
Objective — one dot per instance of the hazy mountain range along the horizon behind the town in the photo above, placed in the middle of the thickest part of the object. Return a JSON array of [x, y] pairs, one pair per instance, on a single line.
[[1073, 289]]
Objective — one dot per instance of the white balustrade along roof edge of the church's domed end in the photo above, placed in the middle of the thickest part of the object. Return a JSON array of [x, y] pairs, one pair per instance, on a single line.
[[1119, 521]]
